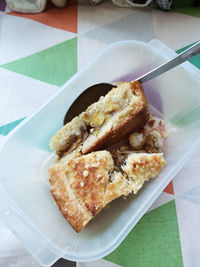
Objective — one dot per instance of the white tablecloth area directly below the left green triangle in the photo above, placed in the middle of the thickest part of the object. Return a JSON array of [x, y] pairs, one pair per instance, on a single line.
[[22, 95]]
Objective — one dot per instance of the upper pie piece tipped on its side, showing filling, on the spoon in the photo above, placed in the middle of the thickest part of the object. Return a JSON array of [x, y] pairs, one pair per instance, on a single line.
[[105, 122]]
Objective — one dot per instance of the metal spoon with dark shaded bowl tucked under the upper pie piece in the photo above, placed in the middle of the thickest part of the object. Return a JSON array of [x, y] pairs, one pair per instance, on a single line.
[[88, 96]]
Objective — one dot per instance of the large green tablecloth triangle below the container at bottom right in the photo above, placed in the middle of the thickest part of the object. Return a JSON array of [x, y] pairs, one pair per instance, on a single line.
[[154, 241]]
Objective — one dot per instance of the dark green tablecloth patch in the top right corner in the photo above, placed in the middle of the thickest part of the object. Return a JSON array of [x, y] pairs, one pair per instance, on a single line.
[[185, 7]]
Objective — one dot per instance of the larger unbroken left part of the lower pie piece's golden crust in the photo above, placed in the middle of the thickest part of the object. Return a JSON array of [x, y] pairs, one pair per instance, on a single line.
[[78, 186]]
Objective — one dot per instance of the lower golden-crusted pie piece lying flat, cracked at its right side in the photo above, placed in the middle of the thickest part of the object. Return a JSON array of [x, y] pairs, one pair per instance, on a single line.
[[84, 185]]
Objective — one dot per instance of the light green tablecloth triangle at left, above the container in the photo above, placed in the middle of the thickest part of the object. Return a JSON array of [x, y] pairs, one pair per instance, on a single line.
[[54, 65]]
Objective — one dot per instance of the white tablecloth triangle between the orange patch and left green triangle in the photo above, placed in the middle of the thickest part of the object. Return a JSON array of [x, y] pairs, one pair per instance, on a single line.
[[16, 44]]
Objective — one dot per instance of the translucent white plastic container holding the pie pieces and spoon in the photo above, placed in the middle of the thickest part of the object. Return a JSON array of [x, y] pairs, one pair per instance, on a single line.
[[26, 204]]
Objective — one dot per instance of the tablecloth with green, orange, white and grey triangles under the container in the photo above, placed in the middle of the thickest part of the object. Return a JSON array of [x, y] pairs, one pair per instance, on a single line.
[[30, 48]]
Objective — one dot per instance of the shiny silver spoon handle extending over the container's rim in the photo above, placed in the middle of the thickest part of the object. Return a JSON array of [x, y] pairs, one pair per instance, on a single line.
[[182, 57]]
